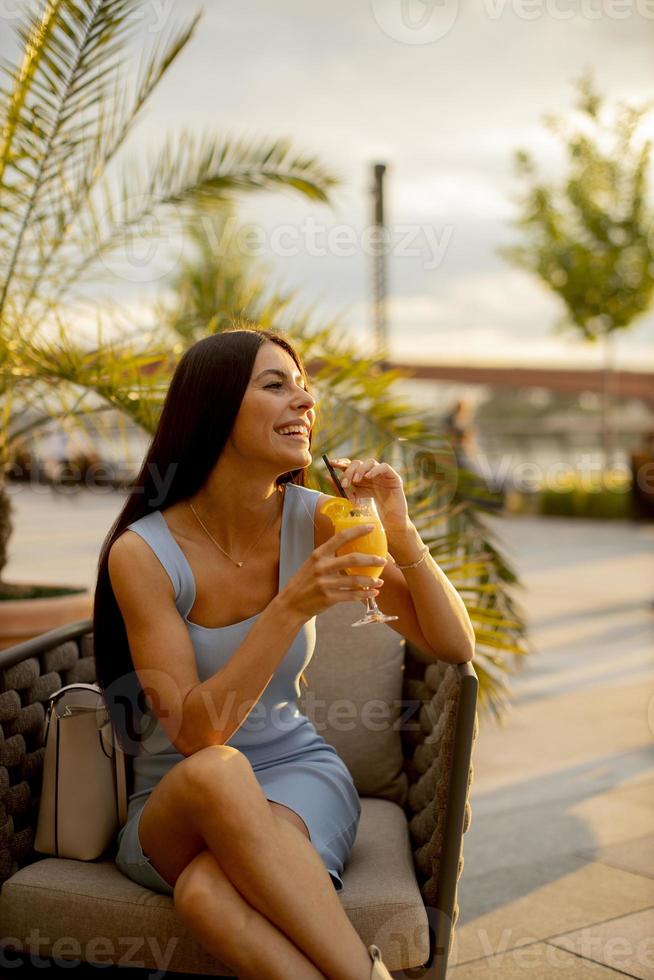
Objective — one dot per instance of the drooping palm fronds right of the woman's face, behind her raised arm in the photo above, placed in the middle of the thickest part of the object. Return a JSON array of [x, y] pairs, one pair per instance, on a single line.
[[361, 416]]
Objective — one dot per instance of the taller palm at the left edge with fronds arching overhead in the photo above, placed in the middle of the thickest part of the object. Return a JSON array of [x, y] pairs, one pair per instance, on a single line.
[[67, 201]]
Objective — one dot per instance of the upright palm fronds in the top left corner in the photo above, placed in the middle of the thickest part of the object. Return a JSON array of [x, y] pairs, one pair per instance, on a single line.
[[58, 123]]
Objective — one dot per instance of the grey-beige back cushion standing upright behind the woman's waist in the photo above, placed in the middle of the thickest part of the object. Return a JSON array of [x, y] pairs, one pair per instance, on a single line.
[[354, 698]]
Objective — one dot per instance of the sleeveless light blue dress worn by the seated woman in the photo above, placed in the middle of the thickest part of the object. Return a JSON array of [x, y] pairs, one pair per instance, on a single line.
[[294, 765]]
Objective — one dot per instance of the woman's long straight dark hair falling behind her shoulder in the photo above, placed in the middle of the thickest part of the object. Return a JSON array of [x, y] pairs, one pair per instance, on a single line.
[[199, 411]]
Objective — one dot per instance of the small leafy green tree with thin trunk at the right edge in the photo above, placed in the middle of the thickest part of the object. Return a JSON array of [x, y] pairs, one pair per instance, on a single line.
[[588, 237]]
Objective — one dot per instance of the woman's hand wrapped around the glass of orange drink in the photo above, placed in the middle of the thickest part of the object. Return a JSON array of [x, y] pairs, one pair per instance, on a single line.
[[322, 580]]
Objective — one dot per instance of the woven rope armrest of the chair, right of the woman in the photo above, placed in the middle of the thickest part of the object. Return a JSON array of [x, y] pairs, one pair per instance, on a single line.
[[438, 764]]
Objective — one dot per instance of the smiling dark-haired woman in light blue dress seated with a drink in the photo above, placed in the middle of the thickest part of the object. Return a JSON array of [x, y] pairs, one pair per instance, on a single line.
[[208, 586]]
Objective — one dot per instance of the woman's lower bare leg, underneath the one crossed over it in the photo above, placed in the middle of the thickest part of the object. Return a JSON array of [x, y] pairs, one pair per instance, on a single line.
[[248, 943]]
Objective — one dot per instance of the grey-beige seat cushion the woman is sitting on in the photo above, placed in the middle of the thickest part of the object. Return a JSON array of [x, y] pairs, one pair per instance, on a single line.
[[90, 911]]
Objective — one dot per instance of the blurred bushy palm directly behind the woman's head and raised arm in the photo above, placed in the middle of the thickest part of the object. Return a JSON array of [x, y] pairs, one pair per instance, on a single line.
[[357, 411]]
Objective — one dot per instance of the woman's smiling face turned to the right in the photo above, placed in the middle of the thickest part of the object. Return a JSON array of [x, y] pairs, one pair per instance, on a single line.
[[274, 398]]
